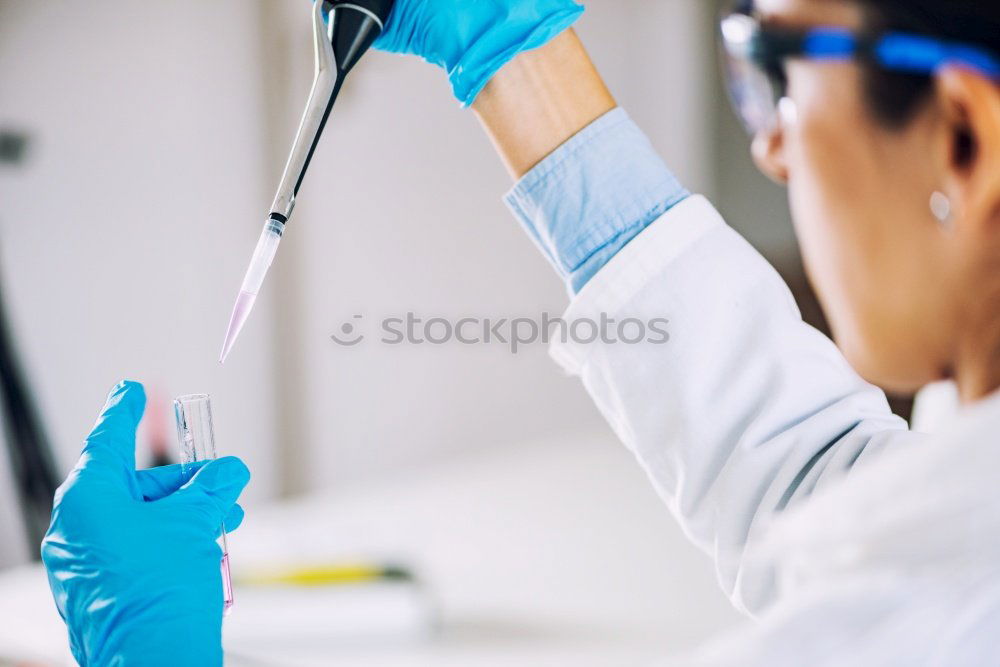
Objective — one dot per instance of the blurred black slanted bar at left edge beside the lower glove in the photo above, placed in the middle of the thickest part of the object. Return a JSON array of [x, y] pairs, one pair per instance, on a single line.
[[27, 446]]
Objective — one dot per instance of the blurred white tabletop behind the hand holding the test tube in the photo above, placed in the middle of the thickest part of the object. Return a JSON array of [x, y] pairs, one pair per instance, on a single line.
[[546, 553]]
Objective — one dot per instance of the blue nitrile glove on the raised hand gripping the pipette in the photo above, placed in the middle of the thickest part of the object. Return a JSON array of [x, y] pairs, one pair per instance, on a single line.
[[473, 39]]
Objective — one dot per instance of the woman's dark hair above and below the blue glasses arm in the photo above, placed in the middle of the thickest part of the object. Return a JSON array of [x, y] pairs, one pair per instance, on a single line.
[[895, 98]]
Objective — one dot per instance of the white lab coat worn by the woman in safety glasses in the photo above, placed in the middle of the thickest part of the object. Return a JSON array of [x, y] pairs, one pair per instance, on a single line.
[[747, 421]]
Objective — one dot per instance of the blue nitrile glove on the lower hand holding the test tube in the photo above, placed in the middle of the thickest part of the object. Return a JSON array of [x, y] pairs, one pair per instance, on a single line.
[[131, 554]]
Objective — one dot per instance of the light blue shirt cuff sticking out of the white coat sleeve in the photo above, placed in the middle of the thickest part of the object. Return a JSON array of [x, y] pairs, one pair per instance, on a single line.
[[594, 194]]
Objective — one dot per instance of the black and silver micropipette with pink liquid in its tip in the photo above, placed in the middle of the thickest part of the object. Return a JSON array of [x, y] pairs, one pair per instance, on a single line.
[[342, 33]]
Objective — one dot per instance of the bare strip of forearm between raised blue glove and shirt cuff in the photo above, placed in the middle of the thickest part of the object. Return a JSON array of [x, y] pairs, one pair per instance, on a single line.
[[541, 99]]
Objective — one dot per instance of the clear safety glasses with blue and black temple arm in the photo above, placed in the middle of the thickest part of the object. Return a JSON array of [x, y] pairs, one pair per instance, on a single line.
[[755, 57]]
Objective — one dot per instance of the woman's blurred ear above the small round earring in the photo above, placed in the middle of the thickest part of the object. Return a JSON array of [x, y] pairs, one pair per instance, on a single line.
[[971, 106]]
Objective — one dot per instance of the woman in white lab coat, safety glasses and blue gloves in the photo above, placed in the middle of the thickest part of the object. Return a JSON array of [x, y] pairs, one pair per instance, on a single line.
[[883, 118]]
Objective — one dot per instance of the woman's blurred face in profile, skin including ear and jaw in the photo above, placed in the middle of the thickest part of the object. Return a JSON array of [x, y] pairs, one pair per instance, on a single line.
[[902, 290]]
